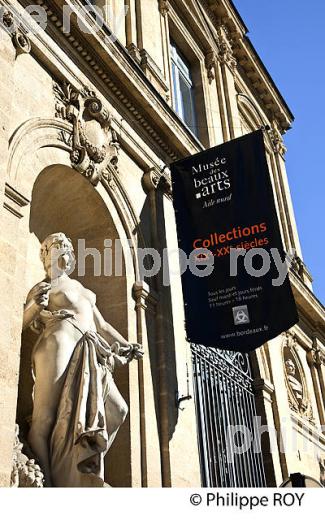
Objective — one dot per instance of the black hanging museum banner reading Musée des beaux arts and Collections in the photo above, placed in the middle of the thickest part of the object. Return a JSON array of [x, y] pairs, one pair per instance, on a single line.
[[237, 293]]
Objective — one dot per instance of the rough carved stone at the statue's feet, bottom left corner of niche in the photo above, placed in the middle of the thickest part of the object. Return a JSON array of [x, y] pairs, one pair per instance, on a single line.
[[25, 471]]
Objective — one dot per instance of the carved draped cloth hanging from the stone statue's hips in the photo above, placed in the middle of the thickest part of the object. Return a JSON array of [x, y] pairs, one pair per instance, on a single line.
[[79, 439]]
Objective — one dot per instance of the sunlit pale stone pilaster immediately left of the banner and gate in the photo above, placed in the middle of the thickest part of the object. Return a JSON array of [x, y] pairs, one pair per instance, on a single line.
[[183, 435]]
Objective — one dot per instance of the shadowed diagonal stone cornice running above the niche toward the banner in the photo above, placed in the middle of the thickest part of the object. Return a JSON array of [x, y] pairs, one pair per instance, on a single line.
[[112, 64]]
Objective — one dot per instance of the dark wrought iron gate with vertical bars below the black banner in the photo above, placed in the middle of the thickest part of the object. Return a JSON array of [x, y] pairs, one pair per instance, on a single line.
[[225, 410]]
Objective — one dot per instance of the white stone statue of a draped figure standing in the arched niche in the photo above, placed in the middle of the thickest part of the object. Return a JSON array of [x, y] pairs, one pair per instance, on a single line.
[[77, 406]]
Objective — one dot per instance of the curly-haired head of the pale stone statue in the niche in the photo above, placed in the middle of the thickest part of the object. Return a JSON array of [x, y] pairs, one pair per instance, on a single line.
[[57, 255]]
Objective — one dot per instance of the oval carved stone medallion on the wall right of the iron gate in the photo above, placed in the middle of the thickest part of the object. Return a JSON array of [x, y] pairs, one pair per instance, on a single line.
[[295, 379]]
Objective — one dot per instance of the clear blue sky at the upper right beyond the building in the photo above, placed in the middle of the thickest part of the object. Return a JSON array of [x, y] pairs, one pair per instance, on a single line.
[[289, 37]]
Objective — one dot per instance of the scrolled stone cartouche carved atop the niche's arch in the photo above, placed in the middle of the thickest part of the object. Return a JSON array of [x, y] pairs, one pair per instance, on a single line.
[[94, 143]]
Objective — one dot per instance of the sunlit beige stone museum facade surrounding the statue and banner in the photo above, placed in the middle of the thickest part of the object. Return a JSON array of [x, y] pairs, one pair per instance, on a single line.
[[89, 125]]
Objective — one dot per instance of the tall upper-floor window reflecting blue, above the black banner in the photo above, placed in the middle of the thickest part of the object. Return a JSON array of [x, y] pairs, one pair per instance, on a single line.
[[183, 89]]
